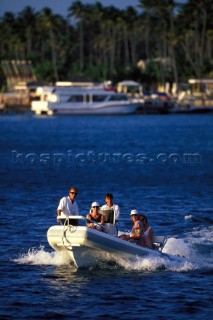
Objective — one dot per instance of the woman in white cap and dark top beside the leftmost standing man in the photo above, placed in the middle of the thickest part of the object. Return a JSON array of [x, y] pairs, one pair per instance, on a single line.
[[95, 220]]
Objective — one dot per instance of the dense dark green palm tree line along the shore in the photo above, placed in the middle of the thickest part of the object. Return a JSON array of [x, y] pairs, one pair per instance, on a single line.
[[159, 41]]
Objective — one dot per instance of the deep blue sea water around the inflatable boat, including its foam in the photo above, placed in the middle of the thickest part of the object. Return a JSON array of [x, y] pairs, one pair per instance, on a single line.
[[158, 164]]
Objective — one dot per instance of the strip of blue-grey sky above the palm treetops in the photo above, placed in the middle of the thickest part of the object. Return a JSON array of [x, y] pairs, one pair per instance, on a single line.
[[57, 6]]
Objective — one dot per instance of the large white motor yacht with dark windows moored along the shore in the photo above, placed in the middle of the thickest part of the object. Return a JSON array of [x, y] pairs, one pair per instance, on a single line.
[[82, 101]]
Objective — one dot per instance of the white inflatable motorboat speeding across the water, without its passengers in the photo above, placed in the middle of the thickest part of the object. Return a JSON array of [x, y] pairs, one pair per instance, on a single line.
[[86, 247]]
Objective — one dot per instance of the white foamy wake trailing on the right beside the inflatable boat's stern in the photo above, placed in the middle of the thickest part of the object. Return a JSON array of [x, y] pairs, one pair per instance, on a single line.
[[195, 248]]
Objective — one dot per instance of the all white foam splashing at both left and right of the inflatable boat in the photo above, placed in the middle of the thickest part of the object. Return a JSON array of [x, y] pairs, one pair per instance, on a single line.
[[196, 247]]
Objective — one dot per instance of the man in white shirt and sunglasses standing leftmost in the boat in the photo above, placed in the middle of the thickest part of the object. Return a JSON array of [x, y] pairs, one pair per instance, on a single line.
[[68, 206]]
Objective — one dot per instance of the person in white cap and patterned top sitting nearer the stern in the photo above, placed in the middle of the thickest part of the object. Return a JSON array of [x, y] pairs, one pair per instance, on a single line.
[[136, 235]]
